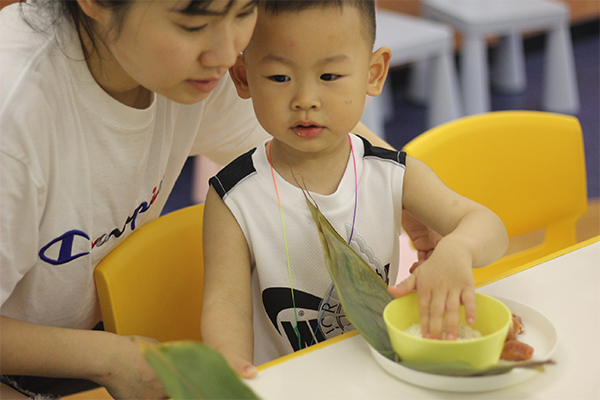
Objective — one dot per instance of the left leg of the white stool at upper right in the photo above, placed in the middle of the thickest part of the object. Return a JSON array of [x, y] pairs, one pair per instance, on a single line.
[[474, 75]]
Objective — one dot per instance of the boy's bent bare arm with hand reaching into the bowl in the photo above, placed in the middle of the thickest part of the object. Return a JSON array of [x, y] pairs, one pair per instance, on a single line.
[[473, 237]]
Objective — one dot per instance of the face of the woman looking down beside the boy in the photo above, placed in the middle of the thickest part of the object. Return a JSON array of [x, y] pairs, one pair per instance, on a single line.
[[177, 54]]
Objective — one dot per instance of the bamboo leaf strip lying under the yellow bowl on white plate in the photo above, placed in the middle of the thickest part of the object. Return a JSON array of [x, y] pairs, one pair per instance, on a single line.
[[465, 369]]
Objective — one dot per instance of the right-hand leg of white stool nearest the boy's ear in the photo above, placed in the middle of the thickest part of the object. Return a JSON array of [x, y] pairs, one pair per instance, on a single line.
[[444, 101]]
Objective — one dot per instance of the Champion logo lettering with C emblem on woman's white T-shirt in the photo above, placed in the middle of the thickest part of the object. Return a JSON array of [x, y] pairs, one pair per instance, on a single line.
[[61, 249]]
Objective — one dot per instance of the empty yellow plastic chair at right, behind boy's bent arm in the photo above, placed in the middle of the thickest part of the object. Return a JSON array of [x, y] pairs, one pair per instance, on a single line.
[[526, 166]]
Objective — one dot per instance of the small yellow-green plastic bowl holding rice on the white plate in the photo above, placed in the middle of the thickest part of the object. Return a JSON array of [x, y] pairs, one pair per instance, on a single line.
[[493, 319]]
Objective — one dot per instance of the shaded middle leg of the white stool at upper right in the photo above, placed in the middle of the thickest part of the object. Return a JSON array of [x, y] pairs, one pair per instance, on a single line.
[[508, 68]]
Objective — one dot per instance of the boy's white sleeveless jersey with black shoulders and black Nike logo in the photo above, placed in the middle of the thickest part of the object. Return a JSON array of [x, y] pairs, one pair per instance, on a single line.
[[246, 186]]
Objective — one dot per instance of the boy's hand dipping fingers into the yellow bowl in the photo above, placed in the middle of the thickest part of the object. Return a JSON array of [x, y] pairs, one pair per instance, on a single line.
[[442, 284]]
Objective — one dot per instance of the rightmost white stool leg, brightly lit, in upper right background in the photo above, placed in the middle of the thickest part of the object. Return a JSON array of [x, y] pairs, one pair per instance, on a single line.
[[561, 93]]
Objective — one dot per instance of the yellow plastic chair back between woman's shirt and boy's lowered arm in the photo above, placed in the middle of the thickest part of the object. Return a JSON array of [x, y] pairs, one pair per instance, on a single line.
[[151, 284]]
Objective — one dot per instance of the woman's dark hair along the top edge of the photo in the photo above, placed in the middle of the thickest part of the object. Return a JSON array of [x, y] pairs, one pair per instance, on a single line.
[[58, 9]]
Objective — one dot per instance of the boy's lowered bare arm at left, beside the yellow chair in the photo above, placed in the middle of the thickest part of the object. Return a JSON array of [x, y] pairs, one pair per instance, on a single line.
[[227, 298]]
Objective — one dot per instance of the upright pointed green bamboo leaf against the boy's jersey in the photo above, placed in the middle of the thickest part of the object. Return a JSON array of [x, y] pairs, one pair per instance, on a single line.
[[361, 291]]
